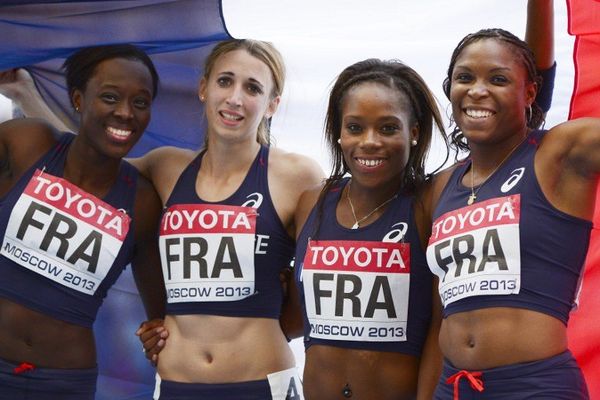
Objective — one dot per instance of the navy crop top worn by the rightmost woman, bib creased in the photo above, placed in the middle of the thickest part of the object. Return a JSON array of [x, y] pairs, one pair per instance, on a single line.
[[511, 248]]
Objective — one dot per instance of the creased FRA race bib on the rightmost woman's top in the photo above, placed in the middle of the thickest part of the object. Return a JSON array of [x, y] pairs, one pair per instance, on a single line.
[[475, 250]]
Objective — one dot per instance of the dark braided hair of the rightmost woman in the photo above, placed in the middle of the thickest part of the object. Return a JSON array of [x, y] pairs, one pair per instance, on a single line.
[[524, 54]]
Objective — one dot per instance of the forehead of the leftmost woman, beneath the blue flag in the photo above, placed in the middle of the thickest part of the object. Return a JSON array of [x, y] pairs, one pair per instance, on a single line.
[[121, 72]]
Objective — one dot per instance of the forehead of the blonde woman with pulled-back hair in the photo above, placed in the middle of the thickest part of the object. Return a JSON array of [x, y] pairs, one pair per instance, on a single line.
[[243, 64]]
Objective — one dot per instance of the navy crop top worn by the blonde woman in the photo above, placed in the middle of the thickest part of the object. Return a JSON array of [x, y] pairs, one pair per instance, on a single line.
[[224, 258]]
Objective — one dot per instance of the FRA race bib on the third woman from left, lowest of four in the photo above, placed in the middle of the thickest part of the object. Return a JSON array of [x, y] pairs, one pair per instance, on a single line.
[[357, 290]]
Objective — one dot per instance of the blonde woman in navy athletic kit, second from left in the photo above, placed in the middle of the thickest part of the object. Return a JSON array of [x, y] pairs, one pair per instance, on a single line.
[[226, 234]]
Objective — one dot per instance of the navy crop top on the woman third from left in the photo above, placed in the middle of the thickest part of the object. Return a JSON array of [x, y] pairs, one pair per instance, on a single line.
[[367, 288]]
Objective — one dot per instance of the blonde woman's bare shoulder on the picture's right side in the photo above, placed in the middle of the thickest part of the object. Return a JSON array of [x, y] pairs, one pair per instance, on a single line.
[[296, 171]]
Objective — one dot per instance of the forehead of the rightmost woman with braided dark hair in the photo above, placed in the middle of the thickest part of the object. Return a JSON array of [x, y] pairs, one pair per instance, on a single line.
[[489, 52]]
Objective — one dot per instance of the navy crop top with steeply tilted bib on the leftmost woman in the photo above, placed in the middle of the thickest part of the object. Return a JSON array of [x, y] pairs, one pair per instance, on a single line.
[[63, 248]]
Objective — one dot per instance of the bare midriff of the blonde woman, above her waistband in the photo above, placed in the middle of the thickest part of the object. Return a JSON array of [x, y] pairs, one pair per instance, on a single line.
[[216, 349]]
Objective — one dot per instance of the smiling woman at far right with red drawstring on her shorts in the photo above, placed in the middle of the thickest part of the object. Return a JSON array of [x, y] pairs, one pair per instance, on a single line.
[[511, 229]]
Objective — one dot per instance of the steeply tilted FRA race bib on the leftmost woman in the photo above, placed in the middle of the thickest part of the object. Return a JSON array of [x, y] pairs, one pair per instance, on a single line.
[[63, 233]]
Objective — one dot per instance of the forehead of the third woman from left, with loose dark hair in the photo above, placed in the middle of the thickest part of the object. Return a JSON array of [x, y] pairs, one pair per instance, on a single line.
[[381, 98]]
